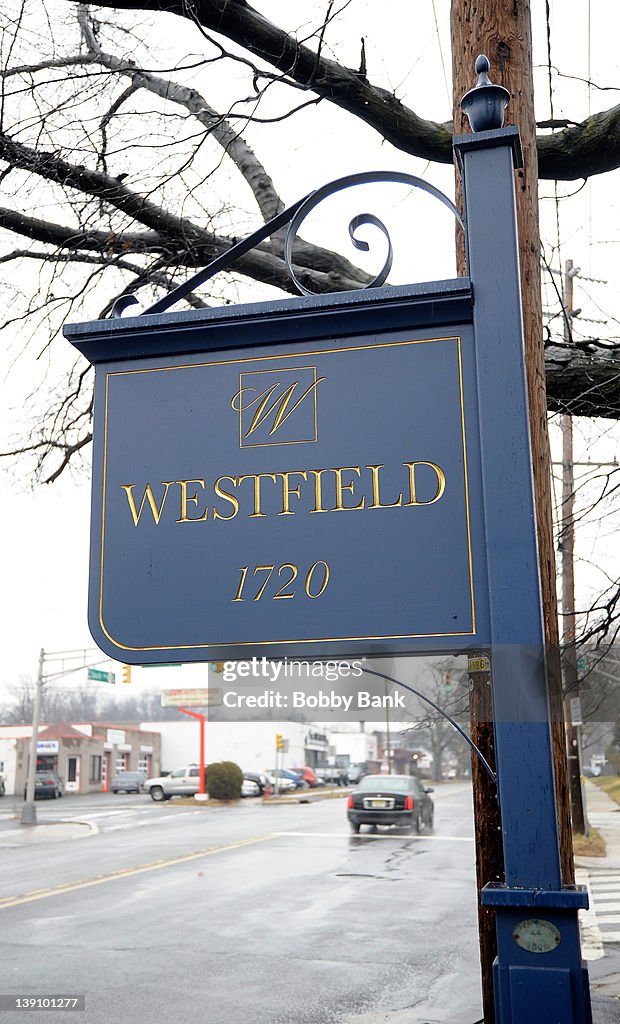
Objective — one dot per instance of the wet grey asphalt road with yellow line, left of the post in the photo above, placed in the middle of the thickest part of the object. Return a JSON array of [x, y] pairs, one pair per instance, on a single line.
[[259, 914]]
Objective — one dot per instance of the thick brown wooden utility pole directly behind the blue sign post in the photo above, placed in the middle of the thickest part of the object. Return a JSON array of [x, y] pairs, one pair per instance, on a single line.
[[502, 30]]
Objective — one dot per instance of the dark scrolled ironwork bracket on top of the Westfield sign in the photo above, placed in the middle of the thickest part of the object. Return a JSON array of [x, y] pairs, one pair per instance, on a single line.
[[294, 217]]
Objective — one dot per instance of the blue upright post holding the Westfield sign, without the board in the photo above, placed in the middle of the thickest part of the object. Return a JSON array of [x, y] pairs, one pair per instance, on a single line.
[[539, 973]]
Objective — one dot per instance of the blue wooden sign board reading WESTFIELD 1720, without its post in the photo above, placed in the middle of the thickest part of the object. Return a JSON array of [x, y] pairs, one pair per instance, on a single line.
[[317, 497]]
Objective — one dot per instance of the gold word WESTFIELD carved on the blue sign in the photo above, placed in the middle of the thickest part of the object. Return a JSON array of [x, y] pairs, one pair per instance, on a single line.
[[340, 489]]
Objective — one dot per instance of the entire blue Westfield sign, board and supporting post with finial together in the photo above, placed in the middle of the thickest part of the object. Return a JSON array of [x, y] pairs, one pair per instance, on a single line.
[[348, 476]]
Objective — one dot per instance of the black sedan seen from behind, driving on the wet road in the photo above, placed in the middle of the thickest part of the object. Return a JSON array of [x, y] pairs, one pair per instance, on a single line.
[[391, 800]]
